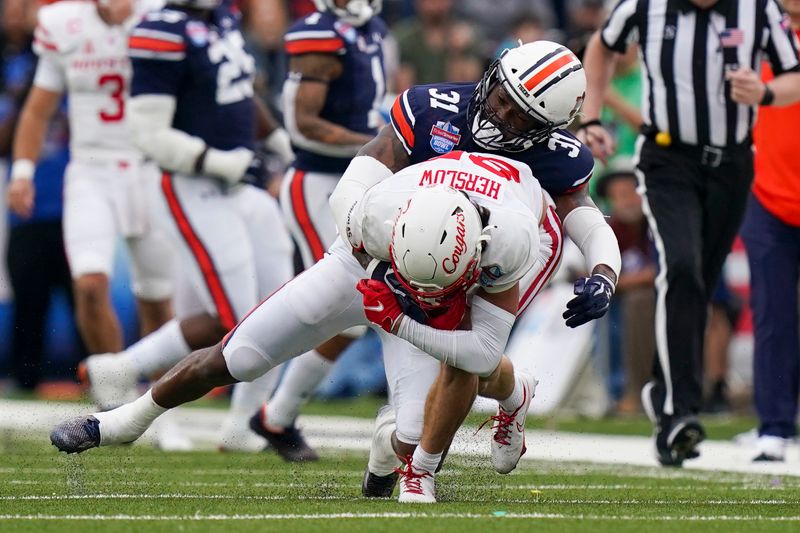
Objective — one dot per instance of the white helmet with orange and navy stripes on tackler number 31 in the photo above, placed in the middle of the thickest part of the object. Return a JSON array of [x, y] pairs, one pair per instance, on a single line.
[[545, 79]]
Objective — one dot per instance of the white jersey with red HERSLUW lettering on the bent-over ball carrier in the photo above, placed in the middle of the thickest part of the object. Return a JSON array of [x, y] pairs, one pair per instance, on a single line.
[[505, 187]]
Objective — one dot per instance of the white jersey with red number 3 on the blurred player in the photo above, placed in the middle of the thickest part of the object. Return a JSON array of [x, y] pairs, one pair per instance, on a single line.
[[83, 56]]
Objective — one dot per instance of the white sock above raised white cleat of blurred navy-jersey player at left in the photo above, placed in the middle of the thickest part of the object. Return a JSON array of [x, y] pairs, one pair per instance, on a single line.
[[159, 351]]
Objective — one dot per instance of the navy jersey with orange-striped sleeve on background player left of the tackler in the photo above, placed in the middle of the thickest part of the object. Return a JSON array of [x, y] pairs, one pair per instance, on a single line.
[[353, 98]]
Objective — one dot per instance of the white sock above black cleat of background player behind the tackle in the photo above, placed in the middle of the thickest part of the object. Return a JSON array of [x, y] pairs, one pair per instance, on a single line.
[[299, 381]]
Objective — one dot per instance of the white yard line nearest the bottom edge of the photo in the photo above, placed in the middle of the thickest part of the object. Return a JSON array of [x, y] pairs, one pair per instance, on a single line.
[[328, 516]]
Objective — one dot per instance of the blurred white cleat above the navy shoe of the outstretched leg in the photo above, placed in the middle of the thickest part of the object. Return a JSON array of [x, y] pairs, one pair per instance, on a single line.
[[111, 380]]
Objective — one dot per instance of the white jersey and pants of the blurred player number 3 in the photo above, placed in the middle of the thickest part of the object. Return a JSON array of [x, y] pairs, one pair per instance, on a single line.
[[107, 183]]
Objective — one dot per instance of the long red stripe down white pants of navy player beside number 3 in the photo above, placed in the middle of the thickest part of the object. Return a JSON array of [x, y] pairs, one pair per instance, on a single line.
[[224, 308]]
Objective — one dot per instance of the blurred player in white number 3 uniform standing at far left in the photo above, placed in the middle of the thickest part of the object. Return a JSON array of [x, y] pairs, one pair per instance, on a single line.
[[82, 48]]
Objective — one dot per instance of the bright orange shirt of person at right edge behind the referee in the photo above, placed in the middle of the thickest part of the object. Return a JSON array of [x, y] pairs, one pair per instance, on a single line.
[[777, 160]]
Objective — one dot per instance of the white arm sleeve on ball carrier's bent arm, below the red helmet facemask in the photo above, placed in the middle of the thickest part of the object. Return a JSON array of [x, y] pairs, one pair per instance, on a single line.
[[477, 351]]
